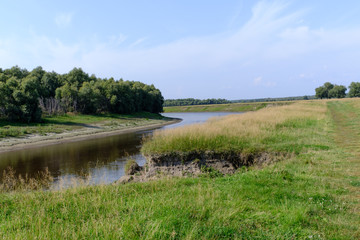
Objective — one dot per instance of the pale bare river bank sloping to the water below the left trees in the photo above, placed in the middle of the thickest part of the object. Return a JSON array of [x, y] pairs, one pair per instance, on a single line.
[[80, 131]]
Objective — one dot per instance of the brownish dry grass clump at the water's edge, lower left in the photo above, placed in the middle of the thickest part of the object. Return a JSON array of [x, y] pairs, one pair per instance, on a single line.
[[12, 182]]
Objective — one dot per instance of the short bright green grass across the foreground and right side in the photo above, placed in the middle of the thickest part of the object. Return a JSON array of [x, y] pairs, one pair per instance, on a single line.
[[313, 195]]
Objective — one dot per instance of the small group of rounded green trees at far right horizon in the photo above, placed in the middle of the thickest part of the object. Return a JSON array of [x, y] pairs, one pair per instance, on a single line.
[[329, 90]]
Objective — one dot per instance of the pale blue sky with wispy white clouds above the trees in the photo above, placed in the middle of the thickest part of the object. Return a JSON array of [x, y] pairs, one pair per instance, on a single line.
[[233, 49]]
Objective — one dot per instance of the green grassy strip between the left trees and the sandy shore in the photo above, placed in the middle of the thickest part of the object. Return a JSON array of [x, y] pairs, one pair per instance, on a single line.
[[67, 122]]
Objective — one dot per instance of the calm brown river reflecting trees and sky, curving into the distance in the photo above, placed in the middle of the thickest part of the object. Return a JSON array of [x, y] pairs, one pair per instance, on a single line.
[[103, 158]]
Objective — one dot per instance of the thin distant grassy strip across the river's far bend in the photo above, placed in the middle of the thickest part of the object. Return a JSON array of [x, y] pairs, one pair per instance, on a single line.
[[231, 107]]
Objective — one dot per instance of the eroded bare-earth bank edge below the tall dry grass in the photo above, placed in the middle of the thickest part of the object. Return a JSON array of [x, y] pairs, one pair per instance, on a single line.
[[194, 164]]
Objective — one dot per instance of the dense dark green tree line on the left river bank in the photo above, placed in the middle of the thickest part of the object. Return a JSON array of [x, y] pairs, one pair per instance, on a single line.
[[26, 96]]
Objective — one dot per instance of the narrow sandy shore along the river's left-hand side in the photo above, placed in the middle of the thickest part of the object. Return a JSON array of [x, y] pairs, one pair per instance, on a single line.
[[85, 133]]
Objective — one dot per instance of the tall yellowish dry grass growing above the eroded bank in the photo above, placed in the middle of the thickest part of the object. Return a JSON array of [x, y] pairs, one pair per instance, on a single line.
[[271, 129]]
